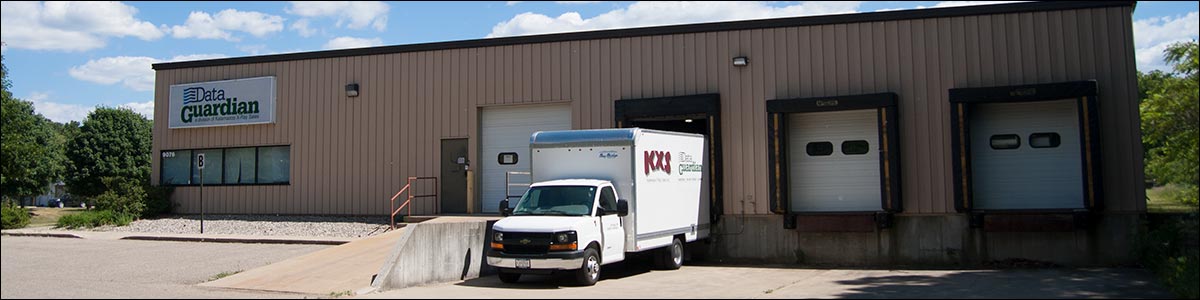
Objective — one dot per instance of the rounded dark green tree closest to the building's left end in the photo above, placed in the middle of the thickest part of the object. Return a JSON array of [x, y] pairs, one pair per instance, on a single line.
[[112, 143]]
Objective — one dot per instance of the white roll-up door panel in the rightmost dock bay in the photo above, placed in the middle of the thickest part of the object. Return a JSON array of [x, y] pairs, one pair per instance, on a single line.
[[1027, 155]]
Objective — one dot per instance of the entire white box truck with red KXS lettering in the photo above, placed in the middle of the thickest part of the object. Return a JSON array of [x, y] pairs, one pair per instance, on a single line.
[[598, 195]]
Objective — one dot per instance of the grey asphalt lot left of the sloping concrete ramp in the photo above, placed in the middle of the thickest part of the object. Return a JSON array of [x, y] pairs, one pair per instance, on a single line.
[[80, 268]]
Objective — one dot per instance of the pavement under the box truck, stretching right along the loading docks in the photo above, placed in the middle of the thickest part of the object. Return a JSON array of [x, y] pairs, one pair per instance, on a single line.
[[638, 281]]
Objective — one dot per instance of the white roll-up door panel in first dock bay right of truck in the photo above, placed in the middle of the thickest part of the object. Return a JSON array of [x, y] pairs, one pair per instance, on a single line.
[[833, 161]]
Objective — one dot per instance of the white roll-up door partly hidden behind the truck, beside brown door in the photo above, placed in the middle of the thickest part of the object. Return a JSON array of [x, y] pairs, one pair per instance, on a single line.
[[508, 130]]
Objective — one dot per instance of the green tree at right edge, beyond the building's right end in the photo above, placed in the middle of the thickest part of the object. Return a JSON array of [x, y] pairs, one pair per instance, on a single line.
[[1171, 119]]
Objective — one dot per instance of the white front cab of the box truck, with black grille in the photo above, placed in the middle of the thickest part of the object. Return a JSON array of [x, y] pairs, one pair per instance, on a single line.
[[561, 226]]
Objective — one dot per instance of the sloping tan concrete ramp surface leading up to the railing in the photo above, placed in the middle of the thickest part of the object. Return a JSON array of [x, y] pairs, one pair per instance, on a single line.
[[340, 269]]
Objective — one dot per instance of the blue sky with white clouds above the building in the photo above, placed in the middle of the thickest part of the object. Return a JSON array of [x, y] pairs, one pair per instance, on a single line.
[[70, 58]]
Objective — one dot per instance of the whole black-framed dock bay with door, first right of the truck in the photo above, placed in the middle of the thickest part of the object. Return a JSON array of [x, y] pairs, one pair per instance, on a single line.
[[849, 121]]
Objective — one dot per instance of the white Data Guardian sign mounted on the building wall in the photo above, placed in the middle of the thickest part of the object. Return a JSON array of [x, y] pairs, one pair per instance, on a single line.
[[223, 104]]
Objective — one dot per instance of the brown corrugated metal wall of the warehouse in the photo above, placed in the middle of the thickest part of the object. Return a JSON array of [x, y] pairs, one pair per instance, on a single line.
[[350, 155]]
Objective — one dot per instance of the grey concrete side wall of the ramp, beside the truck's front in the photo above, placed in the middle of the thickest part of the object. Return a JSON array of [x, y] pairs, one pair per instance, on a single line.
[[442, 250]]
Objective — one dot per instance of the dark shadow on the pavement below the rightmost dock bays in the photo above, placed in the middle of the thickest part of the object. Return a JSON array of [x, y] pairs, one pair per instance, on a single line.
[[1012, 284]]
